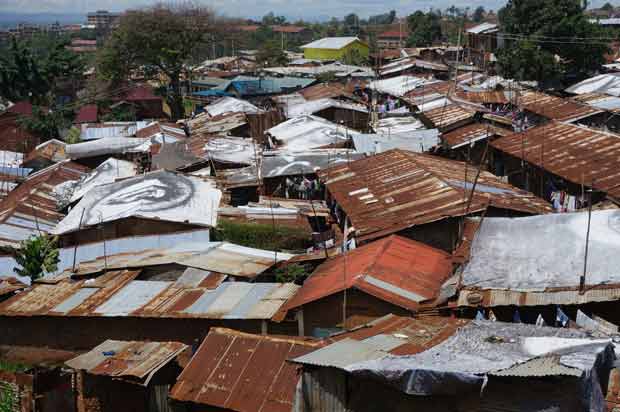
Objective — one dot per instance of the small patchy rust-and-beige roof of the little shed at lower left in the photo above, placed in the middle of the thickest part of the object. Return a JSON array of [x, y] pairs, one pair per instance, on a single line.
[[136, 361]]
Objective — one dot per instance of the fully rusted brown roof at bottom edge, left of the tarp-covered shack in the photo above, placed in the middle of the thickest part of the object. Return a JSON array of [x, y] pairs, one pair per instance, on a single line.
[[236, 371]]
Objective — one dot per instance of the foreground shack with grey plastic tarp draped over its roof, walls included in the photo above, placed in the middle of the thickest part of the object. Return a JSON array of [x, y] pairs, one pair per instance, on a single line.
[[479, 366]]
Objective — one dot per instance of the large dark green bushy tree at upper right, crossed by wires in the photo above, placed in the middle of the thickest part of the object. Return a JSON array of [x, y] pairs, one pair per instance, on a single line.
[[564, 25]]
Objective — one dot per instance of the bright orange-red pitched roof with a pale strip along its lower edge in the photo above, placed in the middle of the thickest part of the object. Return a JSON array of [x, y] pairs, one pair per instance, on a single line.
[[394, 269]]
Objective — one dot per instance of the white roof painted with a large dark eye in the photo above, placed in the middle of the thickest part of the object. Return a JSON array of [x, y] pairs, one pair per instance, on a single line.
[[159, 195]]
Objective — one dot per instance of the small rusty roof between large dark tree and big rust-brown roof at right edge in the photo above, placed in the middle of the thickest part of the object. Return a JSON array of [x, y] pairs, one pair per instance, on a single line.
[[555, 108]]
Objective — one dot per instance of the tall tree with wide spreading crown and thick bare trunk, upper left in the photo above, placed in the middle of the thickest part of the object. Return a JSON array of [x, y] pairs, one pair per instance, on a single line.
[[162, 37]]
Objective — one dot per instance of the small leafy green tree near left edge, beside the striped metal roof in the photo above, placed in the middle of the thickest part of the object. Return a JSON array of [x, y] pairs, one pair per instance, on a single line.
[[37, 255]]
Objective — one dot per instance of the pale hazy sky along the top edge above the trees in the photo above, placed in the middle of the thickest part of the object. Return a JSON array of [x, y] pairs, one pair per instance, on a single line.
[[253, 8]]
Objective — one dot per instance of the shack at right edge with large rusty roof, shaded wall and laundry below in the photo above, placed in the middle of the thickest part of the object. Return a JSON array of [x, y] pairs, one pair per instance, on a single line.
[[560, 159]]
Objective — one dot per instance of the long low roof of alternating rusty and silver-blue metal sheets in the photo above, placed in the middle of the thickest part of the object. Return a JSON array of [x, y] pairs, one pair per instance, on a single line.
[[119, 294]]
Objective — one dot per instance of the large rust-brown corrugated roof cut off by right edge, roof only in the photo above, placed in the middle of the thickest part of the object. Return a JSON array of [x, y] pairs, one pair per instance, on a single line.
[[575, 153]]
